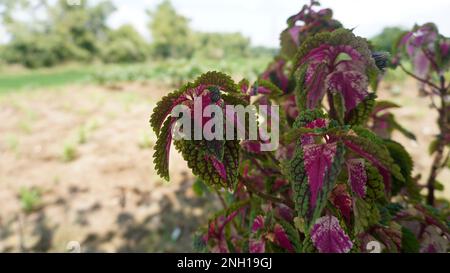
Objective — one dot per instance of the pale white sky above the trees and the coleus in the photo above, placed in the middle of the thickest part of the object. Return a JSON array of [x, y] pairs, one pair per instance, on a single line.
[[263, 20]]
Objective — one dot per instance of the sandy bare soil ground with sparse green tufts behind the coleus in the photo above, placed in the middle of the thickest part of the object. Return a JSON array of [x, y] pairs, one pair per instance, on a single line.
[[88, 151]]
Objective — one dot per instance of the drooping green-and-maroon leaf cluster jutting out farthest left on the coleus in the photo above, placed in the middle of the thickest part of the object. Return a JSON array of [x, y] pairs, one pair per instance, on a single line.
[[214, 161]]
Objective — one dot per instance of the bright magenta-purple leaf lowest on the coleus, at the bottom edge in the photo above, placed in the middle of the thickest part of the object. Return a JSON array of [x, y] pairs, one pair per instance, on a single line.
[[328, 236]]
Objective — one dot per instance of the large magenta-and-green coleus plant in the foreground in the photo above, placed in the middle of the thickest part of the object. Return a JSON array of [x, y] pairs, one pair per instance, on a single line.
[[333, 184]]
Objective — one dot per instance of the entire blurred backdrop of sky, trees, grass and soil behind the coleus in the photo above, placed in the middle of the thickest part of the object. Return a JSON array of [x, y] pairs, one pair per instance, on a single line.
[[79, 80]]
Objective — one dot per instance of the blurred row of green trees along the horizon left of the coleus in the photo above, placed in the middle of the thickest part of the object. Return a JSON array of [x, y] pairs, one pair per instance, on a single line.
[[41, 34]]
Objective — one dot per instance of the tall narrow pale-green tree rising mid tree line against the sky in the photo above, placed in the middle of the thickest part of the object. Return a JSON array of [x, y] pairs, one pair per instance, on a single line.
[[171, 35]]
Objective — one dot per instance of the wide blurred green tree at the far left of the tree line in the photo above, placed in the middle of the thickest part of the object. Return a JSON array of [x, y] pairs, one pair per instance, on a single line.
[[67, 33]]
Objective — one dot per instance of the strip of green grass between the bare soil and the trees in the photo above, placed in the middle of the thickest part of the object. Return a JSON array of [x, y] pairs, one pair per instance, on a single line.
[[170, 72]]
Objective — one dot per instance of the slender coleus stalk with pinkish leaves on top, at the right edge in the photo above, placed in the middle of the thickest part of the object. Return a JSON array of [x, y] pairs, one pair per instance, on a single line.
[[429, 53]]
